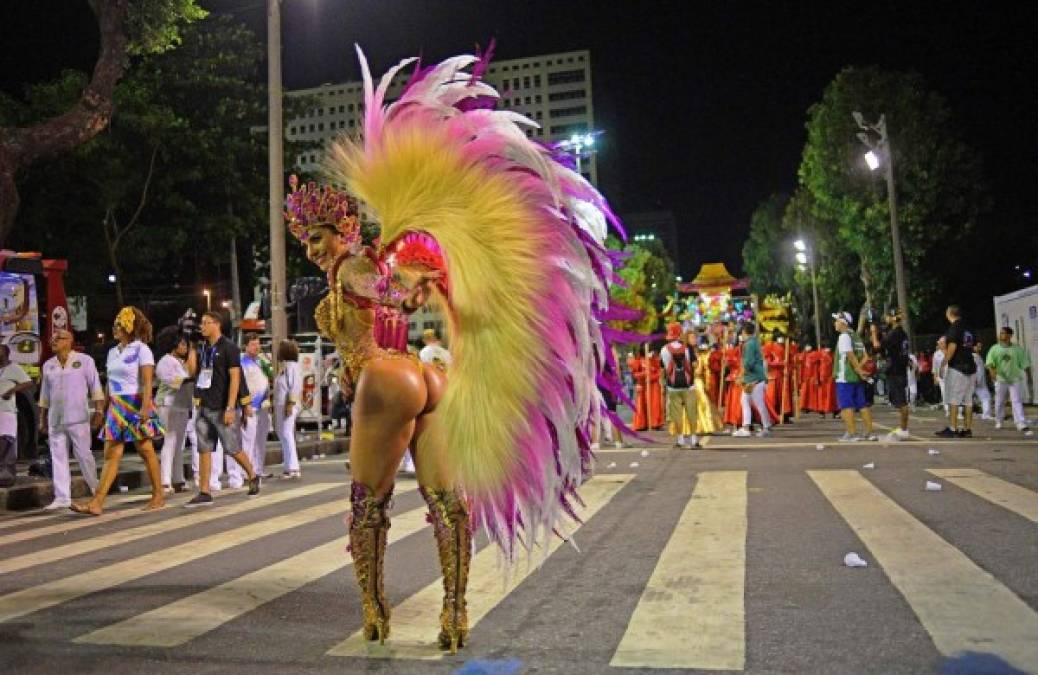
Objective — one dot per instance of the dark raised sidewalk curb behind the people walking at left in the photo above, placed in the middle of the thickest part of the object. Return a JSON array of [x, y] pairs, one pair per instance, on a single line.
[[35, 493]]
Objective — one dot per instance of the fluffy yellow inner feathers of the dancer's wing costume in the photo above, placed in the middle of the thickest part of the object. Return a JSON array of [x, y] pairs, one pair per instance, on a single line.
[[415, 180]]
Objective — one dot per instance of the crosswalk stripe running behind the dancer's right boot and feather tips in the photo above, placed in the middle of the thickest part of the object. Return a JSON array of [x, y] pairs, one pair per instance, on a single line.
[[416, 623]]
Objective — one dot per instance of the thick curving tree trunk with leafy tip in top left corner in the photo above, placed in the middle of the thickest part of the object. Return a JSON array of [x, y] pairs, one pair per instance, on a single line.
[[127, 29]]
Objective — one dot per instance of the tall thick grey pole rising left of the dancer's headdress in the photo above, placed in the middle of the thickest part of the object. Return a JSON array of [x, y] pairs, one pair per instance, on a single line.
[[276, 129]]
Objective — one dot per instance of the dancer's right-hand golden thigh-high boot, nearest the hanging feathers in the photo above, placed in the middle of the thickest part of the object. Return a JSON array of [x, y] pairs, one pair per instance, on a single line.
[[454, 539]]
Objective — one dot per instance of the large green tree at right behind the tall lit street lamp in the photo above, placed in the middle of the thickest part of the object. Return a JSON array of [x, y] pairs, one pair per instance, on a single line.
[[939, 181]]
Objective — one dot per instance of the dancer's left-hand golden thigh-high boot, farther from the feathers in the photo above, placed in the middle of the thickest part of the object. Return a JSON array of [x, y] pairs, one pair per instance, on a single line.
[[369, 526]]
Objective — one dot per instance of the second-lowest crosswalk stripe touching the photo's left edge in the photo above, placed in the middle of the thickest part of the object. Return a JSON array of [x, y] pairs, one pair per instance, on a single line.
[[159, 527]]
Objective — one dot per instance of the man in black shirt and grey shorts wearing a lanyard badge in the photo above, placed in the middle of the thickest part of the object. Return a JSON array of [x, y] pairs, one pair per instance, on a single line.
[[216, 366]]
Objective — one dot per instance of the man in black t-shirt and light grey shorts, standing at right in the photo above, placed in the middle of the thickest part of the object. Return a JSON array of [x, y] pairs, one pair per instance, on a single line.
[[960, 371]]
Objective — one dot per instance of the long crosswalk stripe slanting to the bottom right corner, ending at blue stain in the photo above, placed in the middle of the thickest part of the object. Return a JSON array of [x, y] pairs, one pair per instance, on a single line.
[[963, 607]]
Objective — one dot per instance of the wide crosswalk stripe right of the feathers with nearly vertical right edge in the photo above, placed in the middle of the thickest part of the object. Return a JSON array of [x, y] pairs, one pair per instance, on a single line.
[[692, 612]]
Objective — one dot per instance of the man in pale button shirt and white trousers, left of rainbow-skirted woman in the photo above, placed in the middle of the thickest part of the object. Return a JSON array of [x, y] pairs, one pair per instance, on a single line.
[[69, 388]]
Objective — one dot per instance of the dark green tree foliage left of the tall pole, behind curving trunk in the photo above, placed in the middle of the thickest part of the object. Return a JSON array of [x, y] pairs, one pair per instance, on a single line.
[[200, 112]]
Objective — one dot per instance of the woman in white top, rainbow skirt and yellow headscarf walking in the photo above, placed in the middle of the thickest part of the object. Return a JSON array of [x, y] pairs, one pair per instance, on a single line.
[[131, 414]]
